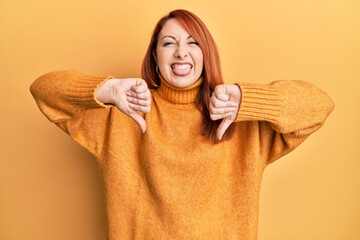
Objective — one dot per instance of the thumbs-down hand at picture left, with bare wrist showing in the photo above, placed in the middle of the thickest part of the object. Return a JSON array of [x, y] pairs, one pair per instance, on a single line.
[[129, 95]]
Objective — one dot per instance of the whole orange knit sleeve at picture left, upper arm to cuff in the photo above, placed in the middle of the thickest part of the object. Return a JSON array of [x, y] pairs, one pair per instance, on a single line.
[[67, 99]]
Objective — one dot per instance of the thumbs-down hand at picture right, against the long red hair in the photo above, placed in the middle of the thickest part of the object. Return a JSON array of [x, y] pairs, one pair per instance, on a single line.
[[224, 104]]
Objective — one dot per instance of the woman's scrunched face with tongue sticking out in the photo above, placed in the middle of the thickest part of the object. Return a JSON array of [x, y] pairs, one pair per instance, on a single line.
[[178, 55]]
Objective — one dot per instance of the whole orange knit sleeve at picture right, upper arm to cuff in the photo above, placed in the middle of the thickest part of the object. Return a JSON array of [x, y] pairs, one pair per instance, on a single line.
[[287, 113]]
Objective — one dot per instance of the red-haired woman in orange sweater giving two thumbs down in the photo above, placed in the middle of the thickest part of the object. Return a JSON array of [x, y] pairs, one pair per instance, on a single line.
[[193, 168]]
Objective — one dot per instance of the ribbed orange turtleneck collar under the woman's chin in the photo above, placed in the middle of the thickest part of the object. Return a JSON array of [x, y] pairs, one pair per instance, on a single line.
[[179, 95]]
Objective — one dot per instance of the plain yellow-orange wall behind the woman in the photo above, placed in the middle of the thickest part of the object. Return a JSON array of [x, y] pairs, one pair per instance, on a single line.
[[50, 187]]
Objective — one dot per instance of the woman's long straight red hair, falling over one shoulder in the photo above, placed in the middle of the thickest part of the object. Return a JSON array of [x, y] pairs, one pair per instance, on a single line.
[[211, 73]]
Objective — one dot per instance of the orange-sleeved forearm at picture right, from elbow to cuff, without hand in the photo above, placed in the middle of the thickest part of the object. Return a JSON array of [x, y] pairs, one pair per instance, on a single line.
[[289, 106]]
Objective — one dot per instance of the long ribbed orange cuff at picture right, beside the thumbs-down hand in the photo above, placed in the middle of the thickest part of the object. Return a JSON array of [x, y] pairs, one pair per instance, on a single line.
[[259, 102]]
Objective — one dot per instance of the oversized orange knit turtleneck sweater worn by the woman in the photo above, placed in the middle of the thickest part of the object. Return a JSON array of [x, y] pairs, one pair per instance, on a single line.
[[170, 182]]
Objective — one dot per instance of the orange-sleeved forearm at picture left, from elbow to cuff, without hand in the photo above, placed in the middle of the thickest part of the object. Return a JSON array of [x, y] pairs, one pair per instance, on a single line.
[[61, 95]]
